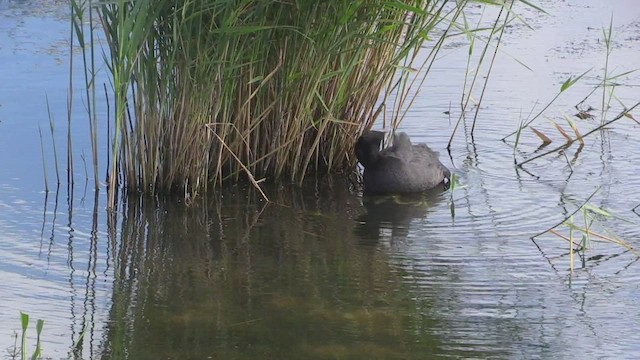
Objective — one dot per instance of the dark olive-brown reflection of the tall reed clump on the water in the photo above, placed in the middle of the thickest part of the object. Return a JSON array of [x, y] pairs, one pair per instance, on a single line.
[[234, 277]]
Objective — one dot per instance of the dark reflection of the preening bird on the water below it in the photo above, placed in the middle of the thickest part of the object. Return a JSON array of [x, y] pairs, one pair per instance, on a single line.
[[393, 213]]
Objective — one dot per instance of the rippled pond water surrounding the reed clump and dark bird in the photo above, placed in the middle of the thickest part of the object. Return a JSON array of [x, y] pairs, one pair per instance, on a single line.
[[321, 272]]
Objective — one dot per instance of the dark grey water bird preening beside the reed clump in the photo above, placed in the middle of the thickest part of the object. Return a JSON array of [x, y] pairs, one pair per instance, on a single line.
[[401, 168]]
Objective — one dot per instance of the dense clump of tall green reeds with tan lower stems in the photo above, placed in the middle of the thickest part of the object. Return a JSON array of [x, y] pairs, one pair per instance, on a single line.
[[208, 92]]
